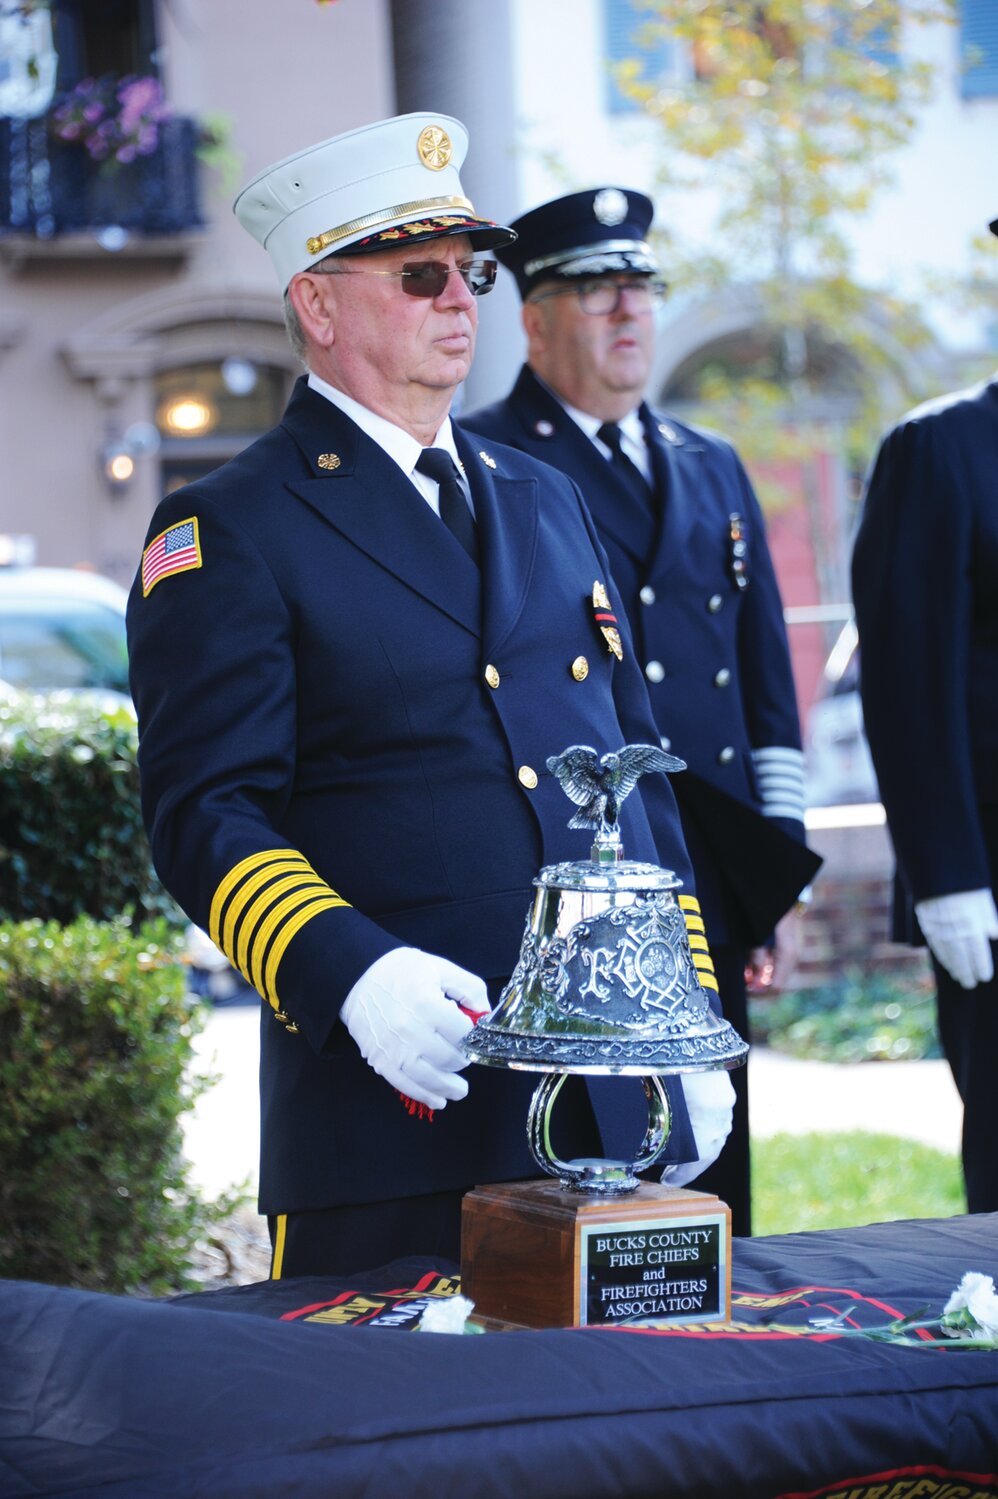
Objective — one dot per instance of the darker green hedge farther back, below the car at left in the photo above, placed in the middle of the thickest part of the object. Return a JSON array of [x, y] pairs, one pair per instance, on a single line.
[[71, 828]]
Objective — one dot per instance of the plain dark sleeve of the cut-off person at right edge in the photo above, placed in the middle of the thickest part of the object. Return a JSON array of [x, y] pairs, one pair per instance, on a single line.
[[913, 567]]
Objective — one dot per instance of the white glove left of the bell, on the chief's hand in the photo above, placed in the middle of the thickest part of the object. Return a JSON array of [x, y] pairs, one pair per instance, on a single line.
[[402, 1016]]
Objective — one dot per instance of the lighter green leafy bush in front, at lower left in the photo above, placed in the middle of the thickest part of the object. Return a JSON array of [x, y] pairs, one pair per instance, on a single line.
[[95, 1041]]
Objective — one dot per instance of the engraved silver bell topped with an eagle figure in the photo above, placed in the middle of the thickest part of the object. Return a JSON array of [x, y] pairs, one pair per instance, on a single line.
[[606, 981]]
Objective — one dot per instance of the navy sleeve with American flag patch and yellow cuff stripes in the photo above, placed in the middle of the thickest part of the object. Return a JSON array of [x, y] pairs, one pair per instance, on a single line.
[[214, 680]]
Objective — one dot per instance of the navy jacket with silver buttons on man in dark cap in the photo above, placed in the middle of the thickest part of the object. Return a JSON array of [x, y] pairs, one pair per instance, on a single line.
[[720, 681]]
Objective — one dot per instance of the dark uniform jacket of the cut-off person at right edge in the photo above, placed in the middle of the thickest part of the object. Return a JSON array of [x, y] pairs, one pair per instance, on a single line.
[[925, 585]]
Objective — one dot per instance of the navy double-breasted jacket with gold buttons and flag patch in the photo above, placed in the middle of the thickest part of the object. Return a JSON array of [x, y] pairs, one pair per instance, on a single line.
[[329, 774]]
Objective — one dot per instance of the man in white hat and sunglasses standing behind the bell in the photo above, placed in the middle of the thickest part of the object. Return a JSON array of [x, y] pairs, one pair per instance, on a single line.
[[353, 651]]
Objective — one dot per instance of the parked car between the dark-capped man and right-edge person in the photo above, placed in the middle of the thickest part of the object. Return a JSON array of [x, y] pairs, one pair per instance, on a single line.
[[838, 765]]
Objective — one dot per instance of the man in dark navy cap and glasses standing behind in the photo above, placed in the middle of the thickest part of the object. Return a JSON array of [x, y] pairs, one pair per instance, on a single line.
[[689, 552]]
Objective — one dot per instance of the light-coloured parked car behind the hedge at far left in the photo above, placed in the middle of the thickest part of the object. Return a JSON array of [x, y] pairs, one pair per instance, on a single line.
[[64, 630]]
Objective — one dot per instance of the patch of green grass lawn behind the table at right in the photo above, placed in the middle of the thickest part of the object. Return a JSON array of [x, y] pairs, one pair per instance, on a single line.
[[841, 1180]]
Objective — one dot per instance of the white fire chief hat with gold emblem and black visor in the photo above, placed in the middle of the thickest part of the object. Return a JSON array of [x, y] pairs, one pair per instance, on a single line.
[[371, 190]]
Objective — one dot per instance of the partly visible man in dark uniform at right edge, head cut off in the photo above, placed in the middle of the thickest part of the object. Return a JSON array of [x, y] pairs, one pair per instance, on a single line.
[[925, 585]]
